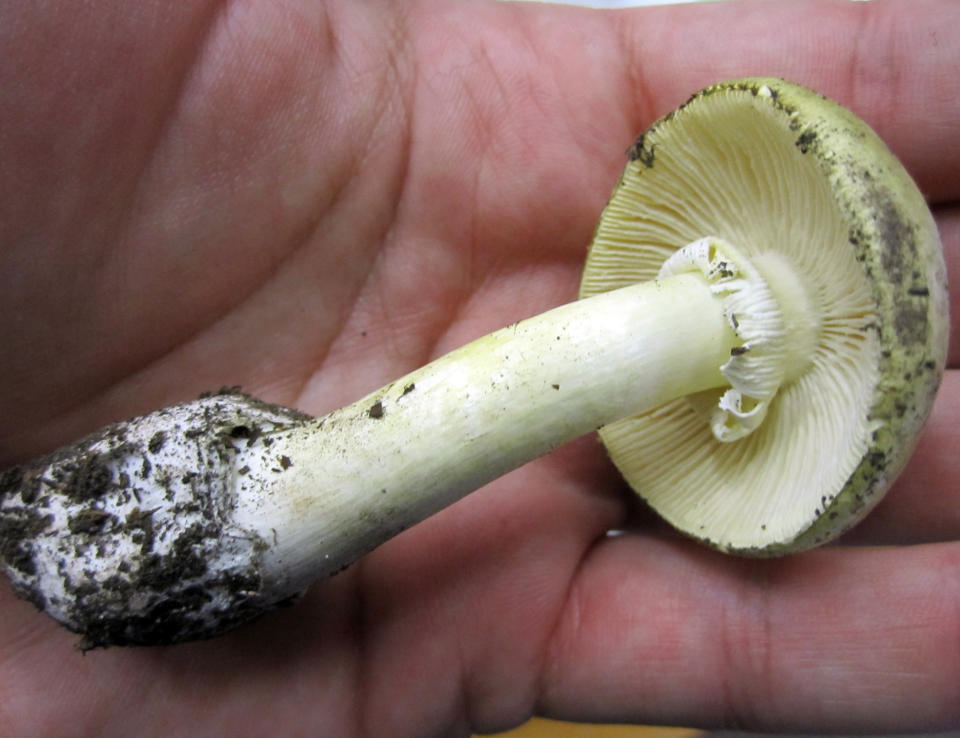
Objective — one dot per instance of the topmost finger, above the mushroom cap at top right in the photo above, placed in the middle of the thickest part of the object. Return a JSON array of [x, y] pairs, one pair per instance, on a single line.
[[892, 63]]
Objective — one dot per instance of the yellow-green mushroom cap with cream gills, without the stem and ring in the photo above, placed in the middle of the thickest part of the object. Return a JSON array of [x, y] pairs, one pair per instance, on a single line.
[[791, 178]]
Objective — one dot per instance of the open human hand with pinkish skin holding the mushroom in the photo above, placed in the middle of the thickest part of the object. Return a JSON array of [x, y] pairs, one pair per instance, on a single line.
[[310, 198]]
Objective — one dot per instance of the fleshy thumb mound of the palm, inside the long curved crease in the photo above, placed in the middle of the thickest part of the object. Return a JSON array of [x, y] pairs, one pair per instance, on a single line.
[[211, 181]]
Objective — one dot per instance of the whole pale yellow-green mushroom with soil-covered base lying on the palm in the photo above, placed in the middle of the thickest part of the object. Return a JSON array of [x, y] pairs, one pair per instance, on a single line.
[[761, 333]]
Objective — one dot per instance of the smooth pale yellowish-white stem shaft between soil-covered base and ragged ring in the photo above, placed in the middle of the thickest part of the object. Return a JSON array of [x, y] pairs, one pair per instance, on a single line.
[[356, 477]]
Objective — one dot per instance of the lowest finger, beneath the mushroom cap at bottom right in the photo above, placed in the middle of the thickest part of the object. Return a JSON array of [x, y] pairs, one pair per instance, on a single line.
[[835, 640]]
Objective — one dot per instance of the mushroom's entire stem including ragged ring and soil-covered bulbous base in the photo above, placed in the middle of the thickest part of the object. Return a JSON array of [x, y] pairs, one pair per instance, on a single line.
[[185, 522]]
